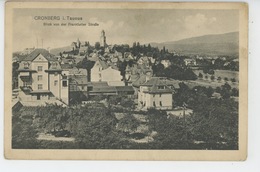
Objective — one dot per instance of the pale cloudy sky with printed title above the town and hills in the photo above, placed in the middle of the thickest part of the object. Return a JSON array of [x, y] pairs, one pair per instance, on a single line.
[[121, 26]]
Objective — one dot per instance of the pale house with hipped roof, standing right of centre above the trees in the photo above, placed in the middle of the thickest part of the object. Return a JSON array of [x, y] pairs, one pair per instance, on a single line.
[[156, 93]]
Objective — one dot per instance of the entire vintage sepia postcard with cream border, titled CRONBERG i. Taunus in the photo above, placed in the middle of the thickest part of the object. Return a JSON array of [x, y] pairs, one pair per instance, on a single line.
[[126, 81]]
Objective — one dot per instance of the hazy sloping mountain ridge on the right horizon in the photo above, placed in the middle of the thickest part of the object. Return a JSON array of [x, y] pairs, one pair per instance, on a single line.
[[217, 44]]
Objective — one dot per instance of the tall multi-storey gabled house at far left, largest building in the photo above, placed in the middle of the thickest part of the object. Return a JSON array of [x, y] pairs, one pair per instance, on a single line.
[[42, 78]]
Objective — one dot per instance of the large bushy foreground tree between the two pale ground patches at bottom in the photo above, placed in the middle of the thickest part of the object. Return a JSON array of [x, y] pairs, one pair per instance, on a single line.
[[95, 128]]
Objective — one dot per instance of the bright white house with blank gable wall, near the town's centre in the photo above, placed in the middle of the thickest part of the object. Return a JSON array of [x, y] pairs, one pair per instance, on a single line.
[[102, 71]]
